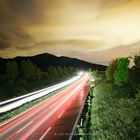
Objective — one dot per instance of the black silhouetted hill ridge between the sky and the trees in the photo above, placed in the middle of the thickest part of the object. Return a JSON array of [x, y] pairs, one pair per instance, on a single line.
[[45, 60]]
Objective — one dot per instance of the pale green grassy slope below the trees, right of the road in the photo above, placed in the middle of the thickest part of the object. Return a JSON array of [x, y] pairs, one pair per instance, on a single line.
[[112, 114]]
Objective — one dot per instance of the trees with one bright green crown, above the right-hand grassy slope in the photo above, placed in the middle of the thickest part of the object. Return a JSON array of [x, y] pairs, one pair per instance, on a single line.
[[120, 73]]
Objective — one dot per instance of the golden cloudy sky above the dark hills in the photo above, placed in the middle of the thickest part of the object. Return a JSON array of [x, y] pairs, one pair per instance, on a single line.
[[92, 30]]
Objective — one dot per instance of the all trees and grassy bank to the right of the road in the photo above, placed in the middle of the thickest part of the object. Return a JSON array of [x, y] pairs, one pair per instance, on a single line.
[[114, 106]]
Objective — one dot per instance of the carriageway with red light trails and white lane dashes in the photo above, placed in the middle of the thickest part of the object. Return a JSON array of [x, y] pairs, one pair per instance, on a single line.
[[52, 119]]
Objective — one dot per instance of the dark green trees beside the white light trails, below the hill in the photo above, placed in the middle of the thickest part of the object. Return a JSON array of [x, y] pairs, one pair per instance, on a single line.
[[23, 77]]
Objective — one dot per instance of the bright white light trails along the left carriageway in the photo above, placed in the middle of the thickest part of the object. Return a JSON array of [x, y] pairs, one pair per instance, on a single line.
[[16, 102]]
